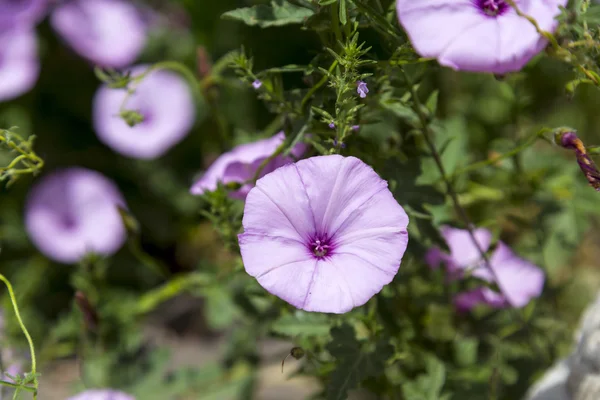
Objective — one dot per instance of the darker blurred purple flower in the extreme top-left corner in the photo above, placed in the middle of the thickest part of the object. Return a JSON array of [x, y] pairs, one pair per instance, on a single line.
[[21, 14]]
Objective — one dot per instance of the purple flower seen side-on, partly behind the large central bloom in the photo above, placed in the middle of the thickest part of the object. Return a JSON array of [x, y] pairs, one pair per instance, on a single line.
[[241, 163]]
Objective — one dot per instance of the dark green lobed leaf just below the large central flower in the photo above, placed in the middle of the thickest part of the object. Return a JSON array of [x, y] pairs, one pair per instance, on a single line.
[[355, 362]]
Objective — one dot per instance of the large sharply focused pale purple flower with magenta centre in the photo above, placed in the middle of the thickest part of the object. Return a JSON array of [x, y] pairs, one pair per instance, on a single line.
[[324, 234]]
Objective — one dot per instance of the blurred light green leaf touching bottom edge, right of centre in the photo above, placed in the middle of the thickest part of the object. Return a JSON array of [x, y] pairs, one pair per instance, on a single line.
[[427, 386]]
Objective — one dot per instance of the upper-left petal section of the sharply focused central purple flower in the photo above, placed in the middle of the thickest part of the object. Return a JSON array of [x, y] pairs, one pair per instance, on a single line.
[[278, 206]]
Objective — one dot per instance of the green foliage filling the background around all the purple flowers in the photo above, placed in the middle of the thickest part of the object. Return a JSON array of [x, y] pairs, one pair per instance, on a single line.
[[456, 149]]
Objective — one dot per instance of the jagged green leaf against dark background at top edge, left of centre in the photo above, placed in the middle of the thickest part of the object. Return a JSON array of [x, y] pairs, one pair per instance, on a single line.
[[278, 13]]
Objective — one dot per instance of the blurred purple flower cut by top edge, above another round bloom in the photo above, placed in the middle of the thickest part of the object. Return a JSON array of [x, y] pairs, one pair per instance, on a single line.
[[110, 33]]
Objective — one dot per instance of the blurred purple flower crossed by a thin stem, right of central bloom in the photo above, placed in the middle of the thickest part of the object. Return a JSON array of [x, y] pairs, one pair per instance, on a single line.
[[518, 280]]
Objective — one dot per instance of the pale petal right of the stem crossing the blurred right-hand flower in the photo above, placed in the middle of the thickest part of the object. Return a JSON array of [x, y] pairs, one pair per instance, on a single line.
[[519, 280]]
